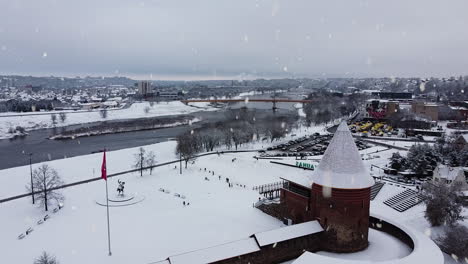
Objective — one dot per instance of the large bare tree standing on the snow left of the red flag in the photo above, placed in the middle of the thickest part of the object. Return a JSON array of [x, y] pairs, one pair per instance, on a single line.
[[45, 179]]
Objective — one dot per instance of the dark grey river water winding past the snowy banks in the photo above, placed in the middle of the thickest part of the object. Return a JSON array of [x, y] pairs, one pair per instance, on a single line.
[[13, 152]]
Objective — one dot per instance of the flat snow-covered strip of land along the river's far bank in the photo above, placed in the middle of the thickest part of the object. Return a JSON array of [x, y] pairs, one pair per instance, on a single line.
[[136, 110]]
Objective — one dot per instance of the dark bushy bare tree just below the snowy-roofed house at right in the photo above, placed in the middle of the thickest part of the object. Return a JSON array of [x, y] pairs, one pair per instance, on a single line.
[[443, 203]]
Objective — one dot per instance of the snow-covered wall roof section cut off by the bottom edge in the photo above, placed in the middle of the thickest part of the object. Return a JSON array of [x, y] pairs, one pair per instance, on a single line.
[[217, 253]]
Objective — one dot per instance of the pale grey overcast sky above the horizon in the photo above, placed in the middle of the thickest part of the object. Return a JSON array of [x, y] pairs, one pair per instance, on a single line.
[[216, 39]]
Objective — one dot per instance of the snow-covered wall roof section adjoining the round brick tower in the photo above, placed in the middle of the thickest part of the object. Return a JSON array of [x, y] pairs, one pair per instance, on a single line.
[[288, 232]]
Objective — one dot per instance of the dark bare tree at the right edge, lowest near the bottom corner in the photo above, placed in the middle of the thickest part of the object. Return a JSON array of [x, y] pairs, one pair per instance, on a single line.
[[455, 241]]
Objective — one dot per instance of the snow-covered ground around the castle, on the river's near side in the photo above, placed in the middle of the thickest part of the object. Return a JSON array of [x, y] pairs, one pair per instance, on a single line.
[[160, 226]]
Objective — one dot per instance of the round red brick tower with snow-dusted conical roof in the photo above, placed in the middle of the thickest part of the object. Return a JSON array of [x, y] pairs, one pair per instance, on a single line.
[[340, 196]]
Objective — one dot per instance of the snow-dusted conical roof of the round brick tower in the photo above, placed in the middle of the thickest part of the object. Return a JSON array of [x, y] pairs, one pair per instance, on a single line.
[[341, 165]]
